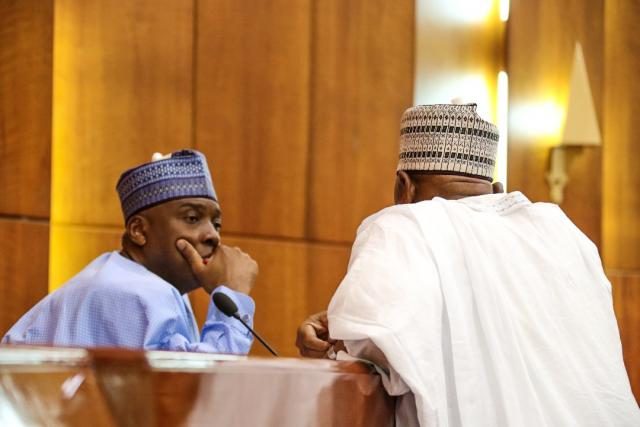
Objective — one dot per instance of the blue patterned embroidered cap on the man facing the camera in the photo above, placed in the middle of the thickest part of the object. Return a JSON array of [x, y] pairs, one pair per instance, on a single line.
[[176, 176]]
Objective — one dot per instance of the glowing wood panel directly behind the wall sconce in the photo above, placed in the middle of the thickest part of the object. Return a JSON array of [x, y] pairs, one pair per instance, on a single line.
[[541, 40]]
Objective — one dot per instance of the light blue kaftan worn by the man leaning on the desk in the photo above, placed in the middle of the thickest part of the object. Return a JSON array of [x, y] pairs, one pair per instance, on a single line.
[[115, 302]]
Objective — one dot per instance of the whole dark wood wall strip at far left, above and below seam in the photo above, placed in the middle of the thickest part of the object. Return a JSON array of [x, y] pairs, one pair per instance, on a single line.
[[26, 47]]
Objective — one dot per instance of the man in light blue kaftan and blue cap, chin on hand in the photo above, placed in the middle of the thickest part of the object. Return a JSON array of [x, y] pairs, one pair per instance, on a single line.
[[135, 298]]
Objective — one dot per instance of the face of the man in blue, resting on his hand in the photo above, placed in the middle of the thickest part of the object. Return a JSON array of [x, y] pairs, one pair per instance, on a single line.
[[197, 220]]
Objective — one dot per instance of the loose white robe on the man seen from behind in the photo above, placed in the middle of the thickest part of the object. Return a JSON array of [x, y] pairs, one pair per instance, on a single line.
[[490, 310]]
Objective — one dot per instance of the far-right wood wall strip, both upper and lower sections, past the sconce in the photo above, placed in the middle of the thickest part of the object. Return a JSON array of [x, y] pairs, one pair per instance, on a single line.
[[621, 175]]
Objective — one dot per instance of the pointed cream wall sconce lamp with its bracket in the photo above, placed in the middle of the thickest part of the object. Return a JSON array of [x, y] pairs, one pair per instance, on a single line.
[[580, 129]]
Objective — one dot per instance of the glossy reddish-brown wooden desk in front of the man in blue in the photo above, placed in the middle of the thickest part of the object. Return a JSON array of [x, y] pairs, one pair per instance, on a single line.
[[75, 387]]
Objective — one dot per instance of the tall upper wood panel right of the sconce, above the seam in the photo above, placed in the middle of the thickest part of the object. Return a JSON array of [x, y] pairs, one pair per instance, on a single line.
[[621, 174]]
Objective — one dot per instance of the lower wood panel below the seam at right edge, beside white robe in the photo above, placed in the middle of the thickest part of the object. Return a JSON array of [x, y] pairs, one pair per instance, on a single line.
[[626, 294]]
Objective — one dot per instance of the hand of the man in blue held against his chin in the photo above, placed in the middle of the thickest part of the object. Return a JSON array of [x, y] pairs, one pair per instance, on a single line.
[[227, 266]]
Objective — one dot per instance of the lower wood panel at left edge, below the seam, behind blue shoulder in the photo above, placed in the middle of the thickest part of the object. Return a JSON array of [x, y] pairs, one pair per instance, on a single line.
[[24, 247]]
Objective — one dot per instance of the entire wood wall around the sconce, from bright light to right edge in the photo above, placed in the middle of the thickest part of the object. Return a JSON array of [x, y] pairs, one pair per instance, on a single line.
[[601, 196]]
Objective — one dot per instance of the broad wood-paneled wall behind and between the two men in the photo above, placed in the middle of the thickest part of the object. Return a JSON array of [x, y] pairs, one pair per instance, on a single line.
[[295, 104]]
